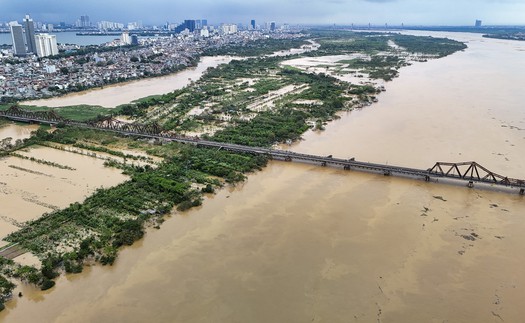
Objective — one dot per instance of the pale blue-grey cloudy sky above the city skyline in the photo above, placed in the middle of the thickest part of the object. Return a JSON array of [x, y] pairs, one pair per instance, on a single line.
[[393, 12]]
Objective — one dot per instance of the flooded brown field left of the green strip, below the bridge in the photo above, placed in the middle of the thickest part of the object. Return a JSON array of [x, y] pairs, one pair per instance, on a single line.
[[28, 188]]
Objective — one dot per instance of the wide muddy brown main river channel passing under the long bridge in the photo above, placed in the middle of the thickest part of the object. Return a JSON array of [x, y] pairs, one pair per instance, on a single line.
[[299, 243]]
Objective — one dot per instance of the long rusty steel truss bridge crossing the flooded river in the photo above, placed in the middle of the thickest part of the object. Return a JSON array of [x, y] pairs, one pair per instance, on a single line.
[[467, 172]]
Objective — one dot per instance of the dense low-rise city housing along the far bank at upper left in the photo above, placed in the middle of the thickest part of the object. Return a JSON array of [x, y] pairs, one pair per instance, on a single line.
[[78, 68]]
